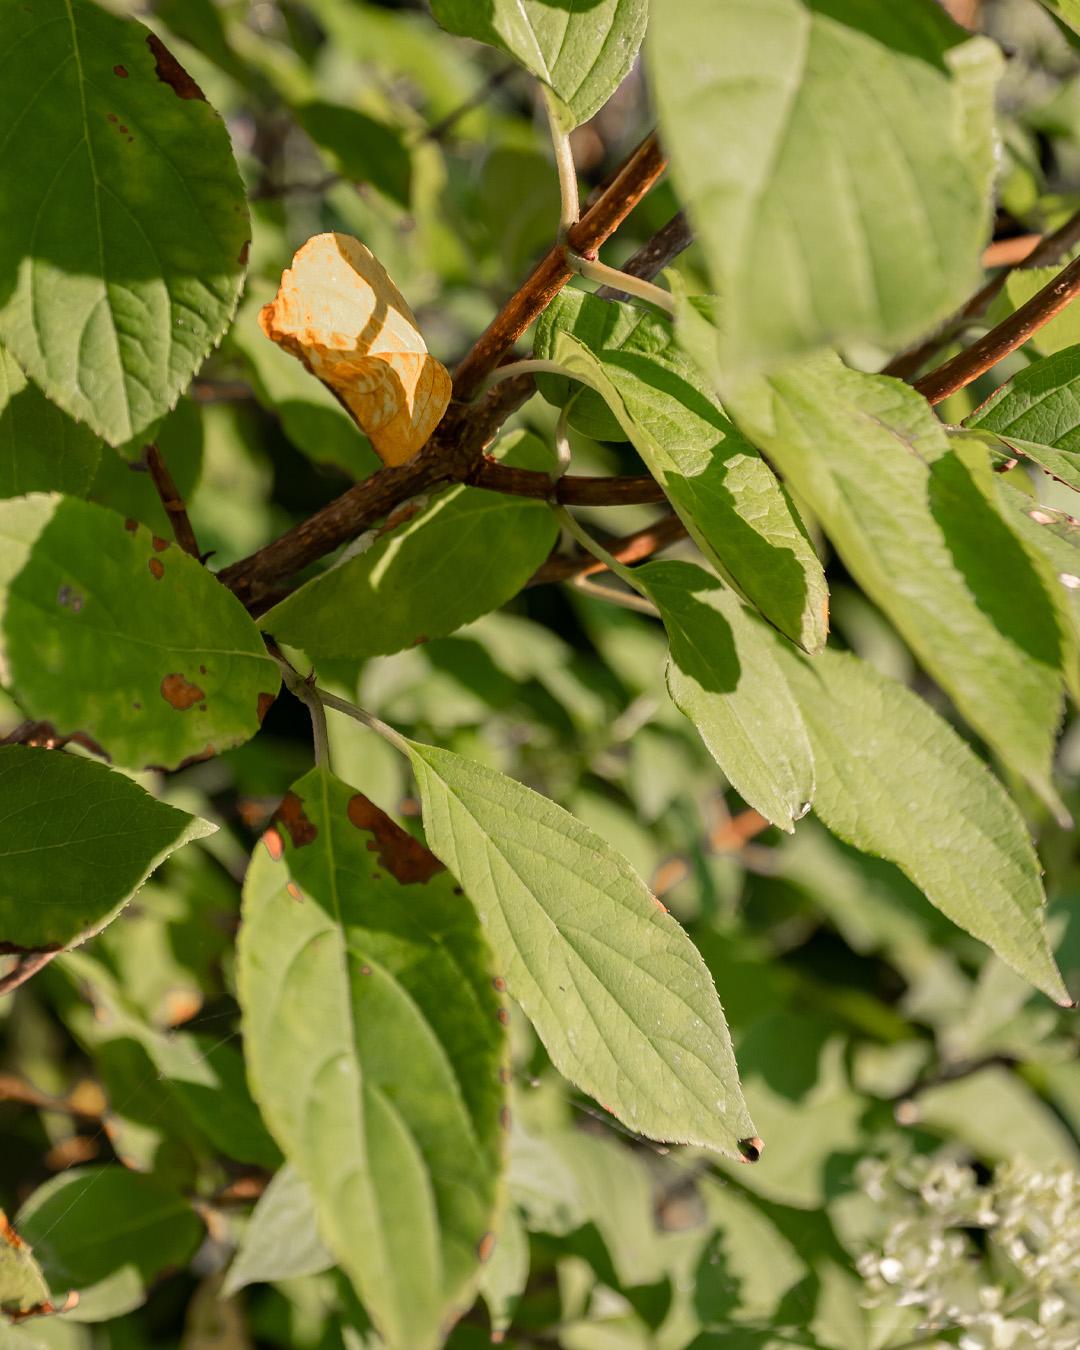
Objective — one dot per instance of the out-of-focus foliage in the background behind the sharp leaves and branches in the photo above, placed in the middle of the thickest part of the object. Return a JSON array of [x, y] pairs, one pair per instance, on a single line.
[[889, 1062]]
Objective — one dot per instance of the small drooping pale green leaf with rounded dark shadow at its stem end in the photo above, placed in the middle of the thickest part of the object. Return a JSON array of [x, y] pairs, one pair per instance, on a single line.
[[724, 677]]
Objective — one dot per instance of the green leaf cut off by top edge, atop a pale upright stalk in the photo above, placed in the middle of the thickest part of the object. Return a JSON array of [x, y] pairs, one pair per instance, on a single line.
[[581, 53]]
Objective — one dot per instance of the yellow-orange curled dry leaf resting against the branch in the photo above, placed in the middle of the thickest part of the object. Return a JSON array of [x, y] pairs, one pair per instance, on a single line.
[[340, 314]]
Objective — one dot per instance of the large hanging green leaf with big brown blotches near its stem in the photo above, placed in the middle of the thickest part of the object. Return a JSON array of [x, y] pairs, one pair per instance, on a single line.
[[375, 1043]]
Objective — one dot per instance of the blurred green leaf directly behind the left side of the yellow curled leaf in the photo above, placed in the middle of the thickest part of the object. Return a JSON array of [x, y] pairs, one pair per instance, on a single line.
[[311, 416]]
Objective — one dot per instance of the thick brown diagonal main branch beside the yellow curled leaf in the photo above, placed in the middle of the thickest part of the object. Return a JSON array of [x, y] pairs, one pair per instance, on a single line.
[[456, 452]]
